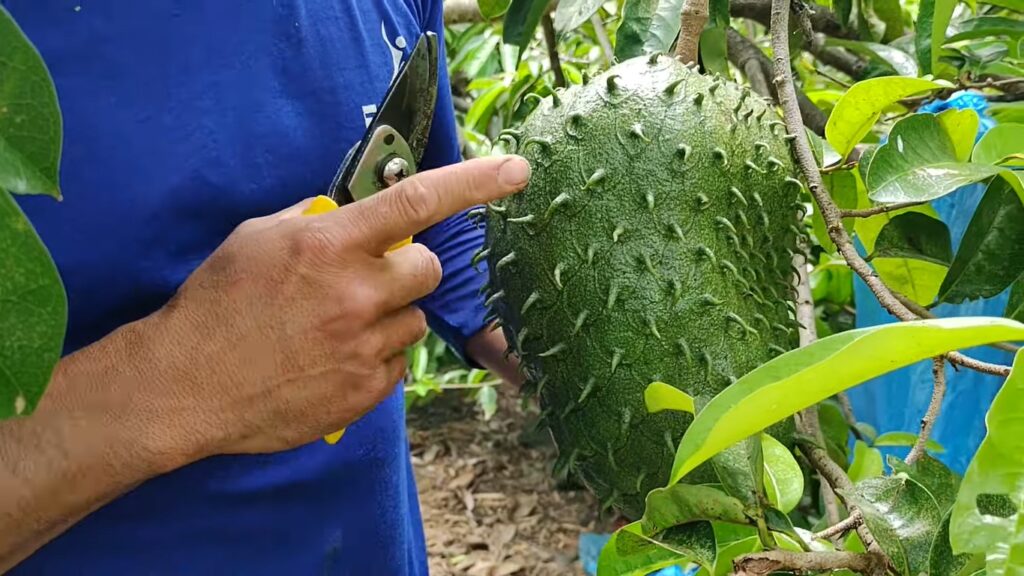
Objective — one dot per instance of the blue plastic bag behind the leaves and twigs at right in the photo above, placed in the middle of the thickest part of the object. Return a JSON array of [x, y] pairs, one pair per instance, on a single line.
[[899, 400]]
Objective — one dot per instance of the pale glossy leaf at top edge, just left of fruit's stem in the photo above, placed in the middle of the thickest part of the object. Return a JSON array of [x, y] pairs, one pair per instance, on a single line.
[[648, 27]]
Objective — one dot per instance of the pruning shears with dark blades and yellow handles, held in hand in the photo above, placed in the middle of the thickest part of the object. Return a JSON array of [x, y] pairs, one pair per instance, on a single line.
[[394, 143]]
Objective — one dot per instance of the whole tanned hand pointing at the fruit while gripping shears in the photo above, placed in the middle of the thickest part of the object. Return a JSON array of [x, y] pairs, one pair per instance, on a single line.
[[296, 326]]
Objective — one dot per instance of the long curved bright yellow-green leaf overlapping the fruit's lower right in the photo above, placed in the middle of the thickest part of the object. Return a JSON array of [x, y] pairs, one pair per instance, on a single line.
[[807, 376]]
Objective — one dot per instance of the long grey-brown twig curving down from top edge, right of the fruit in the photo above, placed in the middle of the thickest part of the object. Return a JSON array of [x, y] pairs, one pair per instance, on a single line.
[[830, 213]]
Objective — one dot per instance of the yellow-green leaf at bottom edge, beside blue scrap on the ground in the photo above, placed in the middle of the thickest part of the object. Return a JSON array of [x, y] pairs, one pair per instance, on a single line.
[[630, 553]]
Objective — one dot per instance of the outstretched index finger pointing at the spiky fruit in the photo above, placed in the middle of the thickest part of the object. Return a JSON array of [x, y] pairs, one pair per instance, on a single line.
[[428, 198]]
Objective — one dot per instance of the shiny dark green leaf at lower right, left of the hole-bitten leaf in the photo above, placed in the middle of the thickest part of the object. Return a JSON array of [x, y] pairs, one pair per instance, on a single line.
[[902, 516]]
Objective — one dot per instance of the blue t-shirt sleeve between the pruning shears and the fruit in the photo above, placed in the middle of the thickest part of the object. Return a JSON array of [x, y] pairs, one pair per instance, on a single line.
[[456, 310]]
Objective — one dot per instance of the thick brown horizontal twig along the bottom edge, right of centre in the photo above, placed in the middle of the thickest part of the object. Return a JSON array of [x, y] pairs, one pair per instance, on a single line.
[[761, 564]]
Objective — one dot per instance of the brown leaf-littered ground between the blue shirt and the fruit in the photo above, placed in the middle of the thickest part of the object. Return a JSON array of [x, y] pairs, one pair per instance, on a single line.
[[491, 507]]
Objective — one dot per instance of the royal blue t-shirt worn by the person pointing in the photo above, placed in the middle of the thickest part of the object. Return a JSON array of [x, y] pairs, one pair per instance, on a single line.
[[182, 120]]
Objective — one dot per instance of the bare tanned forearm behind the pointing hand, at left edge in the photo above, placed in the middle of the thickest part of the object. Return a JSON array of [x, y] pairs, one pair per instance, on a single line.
[[87, 444]]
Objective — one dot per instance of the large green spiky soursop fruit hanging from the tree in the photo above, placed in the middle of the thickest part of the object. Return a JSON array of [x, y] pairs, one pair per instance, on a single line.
[[654, 243]]
